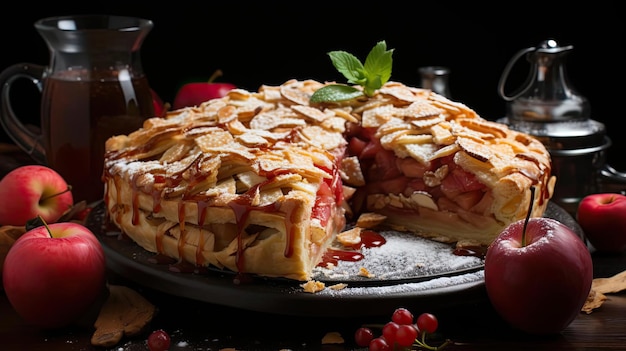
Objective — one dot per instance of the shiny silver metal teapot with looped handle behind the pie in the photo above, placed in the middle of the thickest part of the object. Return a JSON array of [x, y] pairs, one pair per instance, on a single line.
[[549, 108]]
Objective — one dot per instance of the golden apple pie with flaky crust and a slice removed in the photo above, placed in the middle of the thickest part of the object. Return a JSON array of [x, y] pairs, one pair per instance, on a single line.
[[263, 182]]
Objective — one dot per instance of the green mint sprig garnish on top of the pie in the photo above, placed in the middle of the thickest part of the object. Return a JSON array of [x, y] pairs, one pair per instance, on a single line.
[[370, 76]]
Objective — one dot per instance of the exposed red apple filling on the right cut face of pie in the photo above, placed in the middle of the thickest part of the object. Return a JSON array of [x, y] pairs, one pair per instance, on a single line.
[[431, 198]]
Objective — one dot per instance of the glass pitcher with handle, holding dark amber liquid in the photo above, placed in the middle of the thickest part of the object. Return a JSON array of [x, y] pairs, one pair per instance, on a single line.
[[93, 88]]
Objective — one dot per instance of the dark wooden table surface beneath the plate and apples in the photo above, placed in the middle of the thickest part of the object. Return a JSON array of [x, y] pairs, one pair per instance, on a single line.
[[195, 325]]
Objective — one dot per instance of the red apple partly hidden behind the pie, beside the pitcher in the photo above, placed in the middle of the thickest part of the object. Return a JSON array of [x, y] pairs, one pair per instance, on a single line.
[[193, 94]]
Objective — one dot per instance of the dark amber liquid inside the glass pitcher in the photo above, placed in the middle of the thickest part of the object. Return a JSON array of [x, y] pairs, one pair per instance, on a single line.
[[80, 113]]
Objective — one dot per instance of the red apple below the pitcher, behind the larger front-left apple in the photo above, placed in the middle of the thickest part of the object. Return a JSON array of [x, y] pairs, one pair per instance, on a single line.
[[31, 191]]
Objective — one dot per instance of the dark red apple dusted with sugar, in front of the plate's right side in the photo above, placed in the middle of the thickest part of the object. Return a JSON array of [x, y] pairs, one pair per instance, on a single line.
[[538, 277]]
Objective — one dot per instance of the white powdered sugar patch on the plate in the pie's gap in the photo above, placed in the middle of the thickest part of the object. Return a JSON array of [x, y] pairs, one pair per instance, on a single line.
[[403, 256]]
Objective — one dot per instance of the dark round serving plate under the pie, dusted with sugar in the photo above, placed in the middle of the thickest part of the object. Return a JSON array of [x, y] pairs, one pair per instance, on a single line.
[[407, 271]]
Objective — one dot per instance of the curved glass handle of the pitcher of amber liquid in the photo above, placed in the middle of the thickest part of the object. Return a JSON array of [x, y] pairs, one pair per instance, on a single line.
[[26, 139]]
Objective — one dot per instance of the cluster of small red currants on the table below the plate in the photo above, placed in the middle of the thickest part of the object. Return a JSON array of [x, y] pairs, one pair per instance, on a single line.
[[401, 333]]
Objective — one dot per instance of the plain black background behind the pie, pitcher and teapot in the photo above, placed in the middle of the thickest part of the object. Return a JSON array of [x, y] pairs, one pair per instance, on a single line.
[[269, 42]]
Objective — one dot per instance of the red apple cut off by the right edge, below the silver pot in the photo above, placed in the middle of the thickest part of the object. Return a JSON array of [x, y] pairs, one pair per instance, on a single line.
[[603, 219]]
